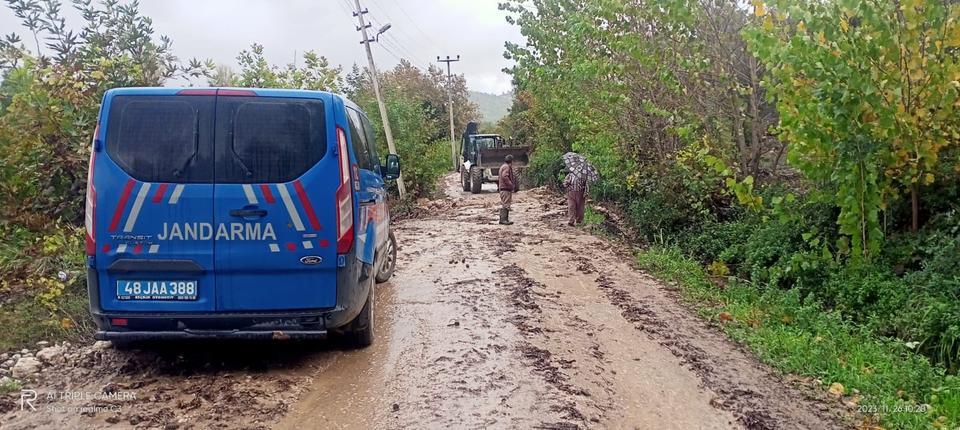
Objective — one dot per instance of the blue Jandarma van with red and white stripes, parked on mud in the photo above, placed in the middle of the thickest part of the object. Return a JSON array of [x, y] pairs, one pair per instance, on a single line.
[[236, 213]]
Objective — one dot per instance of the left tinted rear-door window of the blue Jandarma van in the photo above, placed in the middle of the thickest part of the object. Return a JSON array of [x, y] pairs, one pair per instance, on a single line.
[[162, 139]]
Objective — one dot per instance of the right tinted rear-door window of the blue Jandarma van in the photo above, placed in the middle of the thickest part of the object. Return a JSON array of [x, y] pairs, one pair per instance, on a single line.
[[268, 140]]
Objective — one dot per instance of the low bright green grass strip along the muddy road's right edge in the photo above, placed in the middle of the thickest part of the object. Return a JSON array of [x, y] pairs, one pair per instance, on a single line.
[[897, 387]]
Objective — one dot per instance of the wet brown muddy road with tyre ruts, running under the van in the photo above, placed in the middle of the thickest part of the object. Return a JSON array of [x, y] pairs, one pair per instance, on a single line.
[[535, 325]]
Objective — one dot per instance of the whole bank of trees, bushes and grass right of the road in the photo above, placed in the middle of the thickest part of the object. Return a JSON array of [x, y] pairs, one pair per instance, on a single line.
[[792, 165]]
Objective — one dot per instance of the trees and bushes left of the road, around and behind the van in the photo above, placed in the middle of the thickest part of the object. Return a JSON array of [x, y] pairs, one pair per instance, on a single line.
[[51, 81]]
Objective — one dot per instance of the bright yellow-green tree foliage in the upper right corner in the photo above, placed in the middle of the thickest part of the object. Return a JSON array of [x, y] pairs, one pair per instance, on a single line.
[[868, 97]]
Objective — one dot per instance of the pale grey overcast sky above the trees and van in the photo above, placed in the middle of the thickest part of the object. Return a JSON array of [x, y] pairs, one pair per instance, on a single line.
[[421, 30]]
